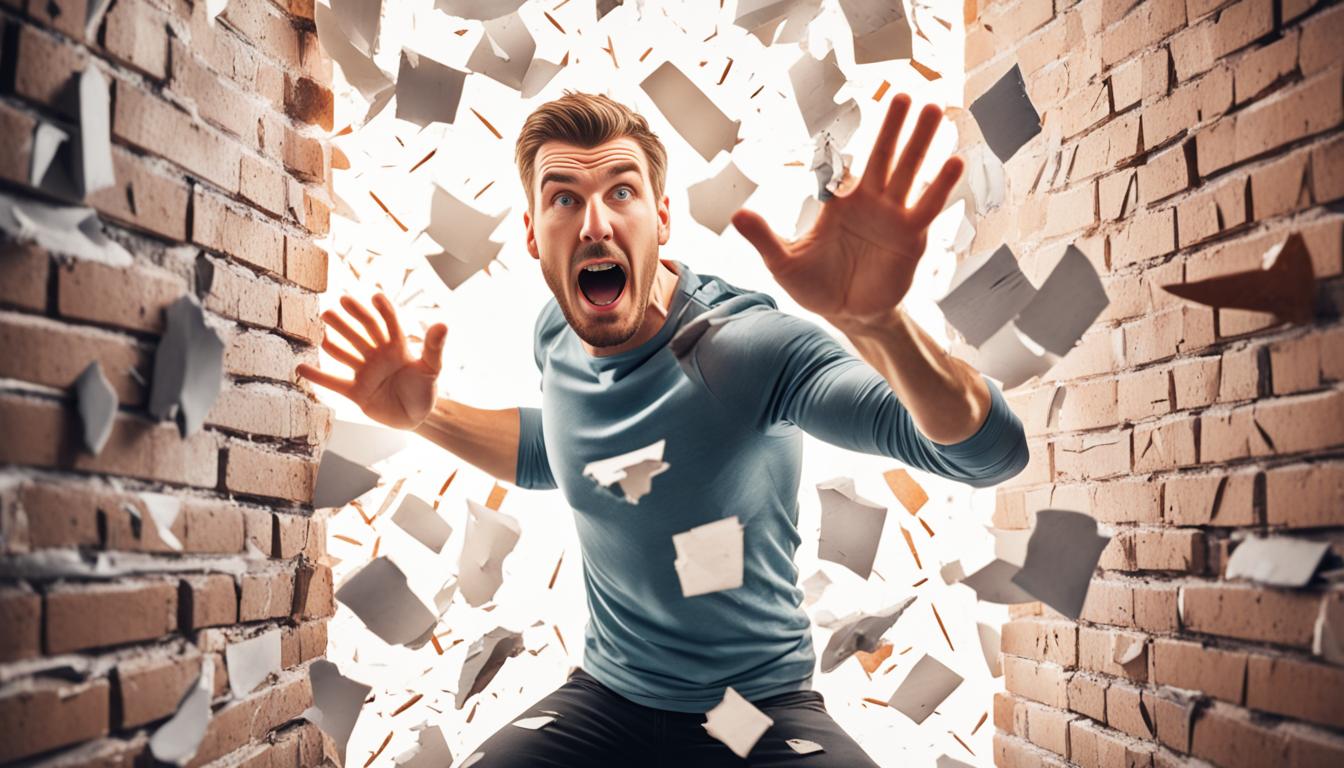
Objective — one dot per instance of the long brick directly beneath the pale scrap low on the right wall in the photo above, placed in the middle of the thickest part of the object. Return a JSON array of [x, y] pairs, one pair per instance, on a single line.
[[1251, 614]]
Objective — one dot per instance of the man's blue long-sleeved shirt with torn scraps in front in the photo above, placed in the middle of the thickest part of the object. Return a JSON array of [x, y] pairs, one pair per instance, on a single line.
[[732, 399]]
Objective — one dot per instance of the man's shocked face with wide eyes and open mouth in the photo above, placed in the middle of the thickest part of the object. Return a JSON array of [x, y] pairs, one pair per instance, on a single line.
[[596, 229]]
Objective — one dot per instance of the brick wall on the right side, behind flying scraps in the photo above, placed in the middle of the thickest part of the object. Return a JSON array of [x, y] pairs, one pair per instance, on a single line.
[[1182, 139]]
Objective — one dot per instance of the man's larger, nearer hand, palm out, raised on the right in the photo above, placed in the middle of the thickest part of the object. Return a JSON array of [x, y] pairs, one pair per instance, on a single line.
[[859, 259]]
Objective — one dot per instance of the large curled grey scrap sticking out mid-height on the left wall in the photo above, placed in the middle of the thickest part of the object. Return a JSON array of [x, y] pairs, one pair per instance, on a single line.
[[189, 368]]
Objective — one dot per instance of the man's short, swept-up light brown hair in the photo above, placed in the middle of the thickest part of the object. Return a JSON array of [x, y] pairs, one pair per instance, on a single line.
[[587, 120]]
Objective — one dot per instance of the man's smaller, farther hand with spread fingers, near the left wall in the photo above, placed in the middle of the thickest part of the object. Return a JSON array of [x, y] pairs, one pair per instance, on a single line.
[[390, 385]]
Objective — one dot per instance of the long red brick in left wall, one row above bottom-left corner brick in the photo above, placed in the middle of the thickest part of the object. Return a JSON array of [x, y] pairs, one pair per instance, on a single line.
[[97, 615]]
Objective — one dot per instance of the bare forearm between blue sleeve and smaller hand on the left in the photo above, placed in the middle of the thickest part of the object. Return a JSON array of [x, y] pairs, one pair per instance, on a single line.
[[486, 439]]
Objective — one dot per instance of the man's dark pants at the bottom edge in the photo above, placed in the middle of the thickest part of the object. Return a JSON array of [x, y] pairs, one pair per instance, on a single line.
[[600, 727]]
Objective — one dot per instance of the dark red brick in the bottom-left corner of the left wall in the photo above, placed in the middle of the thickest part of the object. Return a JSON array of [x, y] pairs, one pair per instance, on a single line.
[[45, 714]]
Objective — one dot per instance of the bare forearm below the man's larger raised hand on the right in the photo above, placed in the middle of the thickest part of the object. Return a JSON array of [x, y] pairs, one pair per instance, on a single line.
[[946, 396]]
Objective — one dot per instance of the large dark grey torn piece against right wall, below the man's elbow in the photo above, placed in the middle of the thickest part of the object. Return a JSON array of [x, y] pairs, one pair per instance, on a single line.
[[1061, 559]]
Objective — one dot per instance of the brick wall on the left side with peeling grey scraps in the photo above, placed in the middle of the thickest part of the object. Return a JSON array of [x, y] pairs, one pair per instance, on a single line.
[[221, 167]]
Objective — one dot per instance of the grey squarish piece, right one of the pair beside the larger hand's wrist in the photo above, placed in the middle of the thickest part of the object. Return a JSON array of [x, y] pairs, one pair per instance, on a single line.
[[1065, 306]]
